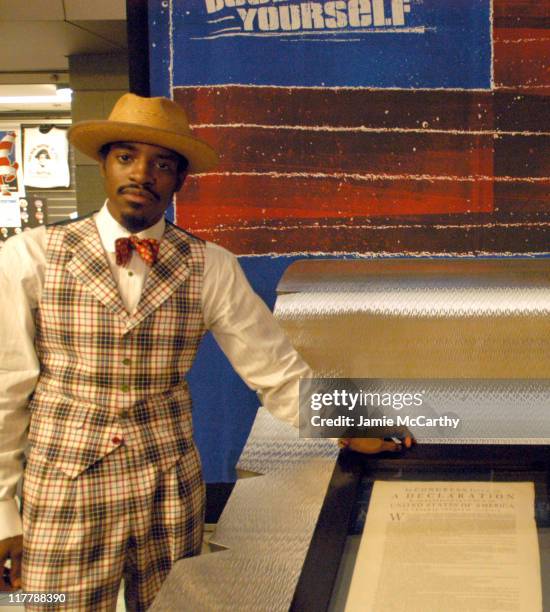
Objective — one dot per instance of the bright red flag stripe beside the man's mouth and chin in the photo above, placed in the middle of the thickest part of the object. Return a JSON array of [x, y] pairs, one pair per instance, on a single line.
[[212, 201]]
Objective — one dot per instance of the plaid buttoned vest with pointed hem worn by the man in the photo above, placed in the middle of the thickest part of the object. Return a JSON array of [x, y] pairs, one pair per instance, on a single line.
[[108, 377]]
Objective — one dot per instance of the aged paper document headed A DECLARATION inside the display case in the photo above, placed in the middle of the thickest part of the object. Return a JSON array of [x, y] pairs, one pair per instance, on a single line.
[[433, 546]]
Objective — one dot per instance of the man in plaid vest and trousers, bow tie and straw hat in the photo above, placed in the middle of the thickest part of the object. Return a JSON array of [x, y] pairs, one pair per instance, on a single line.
[[109, 312]]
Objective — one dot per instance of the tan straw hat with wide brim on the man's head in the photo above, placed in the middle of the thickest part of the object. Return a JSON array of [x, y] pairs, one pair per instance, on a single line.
[[156, 121]]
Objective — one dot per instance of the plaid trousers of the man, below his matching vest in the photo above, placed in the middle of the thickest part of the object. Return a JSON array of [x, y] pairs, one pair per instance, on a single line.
[[122, 518]]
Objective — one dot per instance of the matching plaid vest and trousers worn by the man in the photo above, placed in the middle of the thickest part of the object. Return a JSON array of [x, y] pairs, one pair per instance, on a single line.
[[113, 483]]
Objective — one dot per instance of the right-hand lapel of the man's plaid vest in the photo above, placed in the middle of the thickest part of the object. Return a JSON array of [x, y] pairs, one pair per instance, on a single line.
[[167, 274]]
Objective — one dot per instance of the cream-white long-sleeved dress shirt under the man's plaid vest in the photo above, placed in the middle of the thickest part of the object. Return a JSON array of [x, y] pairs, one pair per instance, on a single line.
[[241, 323]]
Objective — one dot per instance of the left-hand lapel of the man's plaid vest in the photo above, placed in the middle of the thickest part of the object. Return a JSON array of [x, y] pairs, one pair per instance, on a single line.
[[90, 267]]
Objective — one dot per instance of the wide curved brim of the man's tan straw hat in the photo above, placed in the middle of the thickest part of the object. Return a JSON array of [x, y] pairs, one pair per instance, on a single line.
[[89, 136]]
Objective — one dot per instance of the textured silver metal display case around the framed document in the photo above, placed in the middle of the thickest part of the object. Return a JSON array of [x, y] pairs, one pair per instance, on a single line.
[[287, 538]]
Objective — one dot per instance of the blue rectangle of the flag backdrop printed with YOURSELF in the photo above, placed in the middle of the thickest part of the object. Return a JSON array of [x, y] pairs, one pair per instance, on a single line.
[[350, 43]]
